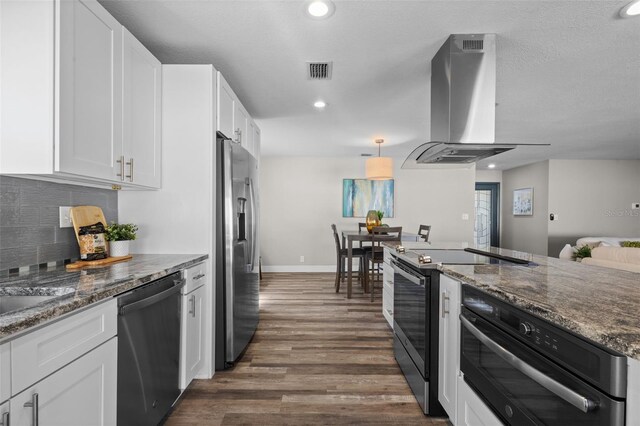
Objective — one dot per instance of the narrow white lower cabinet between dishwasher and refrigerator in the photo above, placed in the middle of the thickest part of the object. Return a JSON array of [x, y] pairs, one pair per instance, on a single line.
[[192, 336]]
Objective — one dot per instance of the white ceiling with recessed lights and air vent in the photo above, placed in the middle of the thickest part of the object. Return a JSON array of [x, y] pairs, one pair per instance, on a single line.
[[568, 71]]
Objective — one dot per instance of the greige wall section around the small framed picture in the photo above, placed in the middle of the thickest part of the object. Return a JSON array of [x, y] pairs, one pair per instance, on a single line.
[[526, 233]]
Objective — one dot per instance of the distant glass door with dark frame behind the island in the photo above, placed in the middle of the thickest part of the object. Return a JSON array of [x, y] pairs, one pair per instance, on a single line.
[[487, 225]]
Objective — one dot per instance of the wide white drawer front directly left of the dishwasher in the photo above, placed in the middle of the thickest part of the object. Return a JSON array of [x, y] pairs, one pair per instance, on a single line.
[[40, 353]]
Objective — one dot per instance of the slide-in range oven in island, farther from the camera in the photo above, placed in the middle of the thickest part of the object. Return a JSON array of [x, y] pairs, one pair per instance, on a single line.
[[416, 331]]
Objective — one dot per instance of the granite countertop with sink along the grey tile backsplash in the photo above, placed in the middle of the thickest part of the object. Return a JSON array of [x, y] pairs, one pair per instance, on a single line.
[[80, 288]]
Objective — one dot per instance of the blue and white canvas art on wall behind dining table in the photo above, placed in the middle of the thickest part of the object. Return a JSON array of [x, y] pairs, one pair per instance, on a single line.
[[361, 195]]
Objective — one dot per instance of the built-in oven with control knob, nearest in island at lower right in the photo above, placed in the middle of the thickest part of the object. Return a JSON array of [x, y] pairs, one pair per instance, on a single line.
[[531, 372]]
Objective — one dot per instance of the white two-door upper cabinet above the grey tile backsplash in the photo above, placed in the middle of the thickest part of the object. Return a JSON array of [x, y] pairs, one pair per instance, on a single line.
[[79, 94]]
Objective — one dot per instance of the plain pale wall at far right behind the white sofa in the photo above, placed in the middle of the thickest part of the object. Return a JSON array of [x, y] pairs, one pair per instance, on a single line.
[[592, 198]]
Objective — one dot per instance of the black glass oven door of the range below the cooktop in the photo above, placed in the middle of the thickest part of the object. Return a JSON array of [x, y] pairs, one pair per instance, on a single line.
[[410, 313]]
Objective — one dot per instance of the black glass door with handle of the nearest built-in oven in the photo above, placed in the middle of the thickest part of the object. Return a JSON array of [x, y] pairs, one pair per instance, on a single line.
[[525, 388]]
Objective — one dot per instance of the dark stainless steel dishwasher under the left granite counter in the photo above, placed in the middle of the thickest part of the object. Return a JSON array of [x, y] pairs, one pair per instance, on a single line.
[[149, 351]]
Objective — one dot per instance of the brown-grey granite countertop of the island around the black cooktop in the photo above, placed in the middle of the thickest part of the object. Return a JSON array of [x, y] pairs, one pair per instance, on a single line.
[[601, 304]]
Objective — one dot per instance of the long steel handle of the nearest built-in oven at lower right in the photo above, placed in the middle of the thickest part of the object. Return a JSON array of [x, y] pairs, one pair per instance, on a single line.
[[580, 402]]
